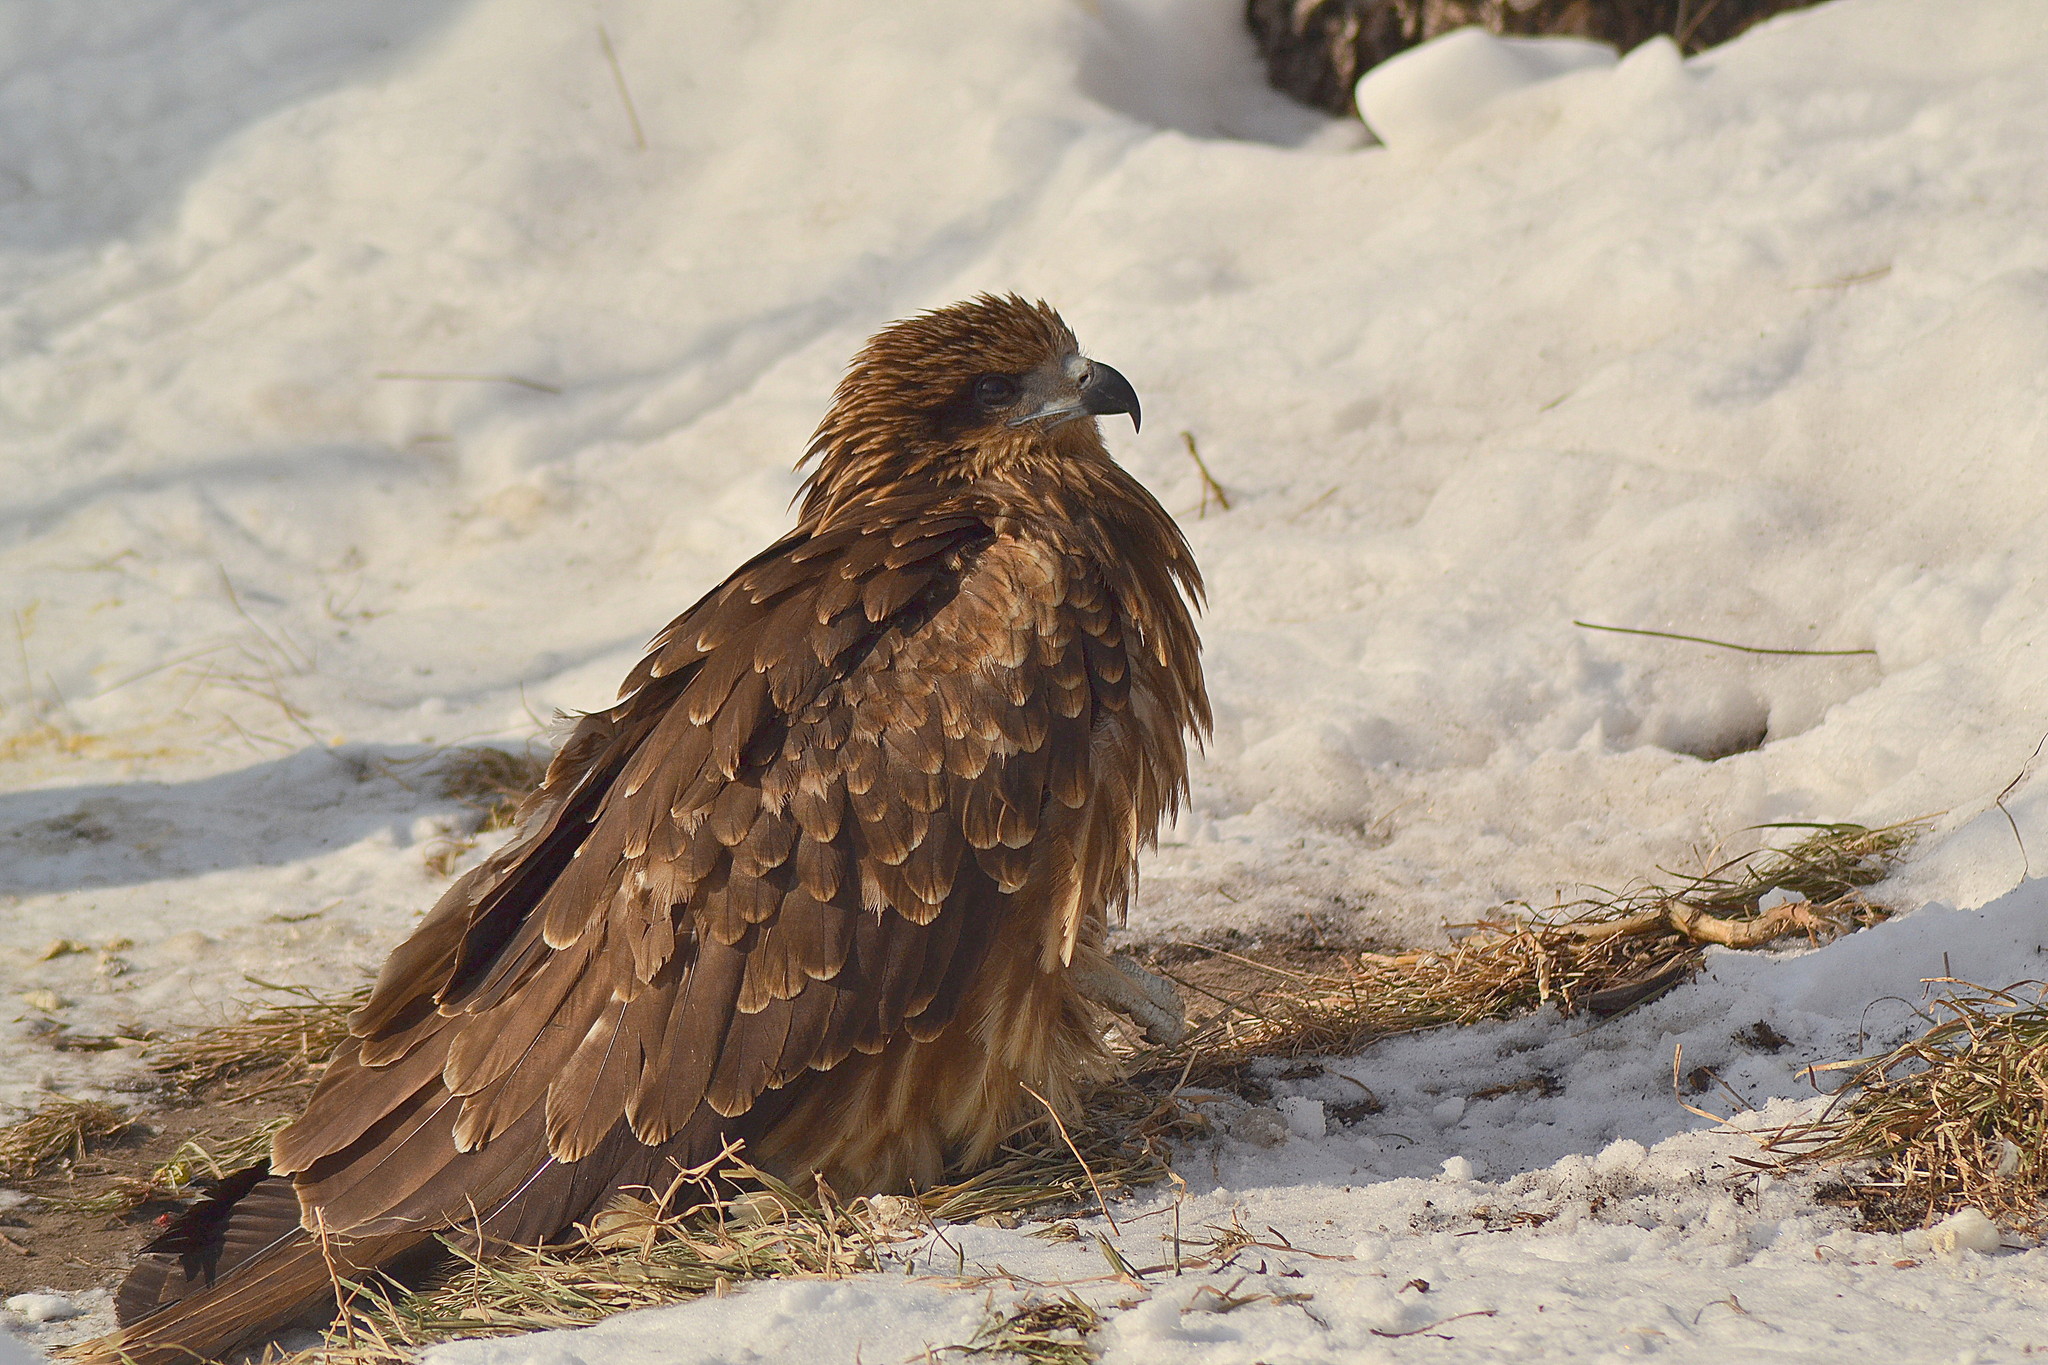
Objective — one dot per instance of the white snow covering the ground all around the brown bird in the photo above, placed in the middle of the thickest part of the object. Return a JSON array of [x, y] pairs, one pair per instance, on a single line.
[[368, 386]]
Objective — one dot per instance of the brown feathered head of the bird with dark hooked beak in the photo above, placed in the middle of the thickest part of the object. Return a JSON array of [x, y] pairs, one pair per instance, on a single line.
[[984, 392]]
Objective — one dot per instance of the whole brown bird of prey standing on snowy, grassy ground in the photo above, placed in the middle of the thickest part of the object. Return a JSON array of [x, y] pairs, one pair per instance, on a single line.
[[830, 879]]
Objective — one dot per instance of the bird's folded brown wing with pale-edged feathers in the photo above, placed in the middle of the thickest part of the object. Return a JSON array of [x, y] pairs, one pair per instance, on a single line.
[[794, 838]]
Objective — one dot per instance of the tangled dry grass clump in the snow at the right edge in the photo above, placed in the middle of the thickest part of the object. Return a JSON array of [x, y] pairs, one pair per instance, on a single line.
[[1953, 1118]]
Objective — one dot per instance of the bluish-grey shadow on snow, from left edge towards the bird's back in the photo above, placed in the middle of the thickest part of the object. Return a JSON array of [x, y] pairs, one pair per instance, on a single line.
[[284, 811]]
